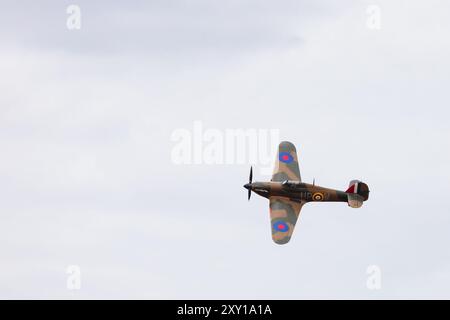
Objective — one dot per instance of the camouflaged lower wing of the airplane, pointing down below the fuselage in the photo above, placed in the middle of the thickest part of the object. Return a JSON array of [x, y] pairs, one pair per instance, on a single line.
[[283, 217]]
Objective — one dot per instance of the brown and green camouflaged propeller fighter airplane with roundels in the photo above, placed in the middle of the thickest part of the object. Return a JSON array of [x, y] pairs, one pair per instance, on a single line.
[[287, 193]]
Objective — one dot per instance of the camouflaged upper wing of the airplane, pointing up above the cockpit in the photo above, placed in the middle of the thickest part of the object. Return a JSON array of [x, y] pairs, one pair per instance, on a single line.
[[286, 163]]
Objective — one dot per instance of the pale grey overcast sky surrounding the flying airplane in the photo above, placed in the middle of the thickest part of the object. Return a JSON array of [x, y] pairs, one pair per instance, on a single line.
[[87, 176]]
